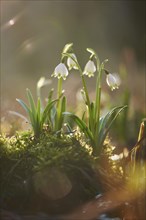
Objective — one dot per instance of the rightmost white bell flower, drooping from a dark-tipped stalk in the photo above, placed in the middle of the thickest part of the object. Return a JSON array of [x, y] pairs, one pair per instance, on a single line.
[[113, 81]]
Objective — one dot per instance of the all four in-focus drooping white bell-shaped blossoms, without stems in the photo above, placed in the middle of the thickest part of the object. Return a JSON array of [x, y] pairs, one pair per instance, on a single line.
[[61, 71]]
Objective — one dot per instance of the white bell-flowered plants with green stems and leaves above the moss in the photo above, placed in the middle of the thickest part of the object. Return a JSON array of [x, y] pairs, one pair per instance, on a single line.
[[94, 126]]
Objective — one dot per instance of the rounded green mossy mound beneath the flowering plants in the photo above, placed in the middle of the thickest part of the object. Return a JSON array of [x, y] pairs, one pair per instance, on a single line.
[[50, 174]]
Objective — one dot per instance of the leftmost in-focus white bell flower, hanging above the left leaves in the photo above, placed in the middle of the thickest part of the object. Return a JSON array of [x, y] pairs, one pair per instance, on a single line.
[[60, 71]]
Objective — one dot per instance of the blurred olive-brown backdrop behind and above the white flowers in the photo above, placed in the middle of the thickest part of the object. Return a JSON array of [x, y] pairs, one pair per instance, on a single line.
[[33, 34]]
